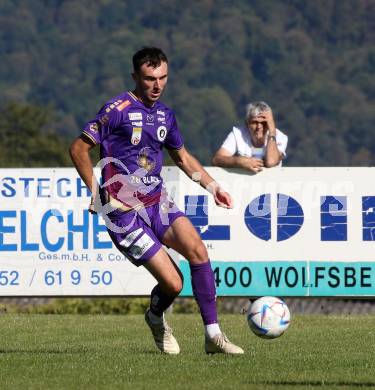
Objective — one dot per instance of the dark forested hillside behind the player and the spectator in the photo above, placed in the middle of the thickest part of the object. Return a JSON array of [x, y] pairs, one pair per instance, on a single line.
[[312, 61]]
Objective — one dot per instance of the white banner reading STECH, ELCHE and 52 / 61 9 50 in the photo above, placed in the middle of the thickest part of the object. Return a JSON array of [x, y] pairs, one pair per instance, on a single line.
[[50, 245]]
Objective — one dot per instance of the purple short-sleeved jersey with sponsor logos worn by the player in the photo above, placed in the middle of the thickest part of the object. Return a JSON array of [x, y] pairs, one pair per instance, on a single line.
[[131, 137]]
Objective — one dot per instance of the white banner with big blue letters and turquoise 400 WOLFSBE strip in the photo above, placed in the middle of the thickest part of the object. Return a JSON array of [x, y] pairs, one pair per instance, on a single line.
[[292, 231]]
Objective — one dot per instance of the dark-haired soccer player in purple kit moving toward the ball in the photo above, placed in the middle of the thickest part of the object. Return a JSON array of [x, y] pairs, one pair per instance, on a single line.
[[132, 130]]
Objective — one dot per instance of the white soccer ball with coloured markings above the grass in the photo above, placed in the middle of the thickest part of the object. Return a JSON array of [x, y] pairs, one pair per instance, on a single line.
[[268, 317]]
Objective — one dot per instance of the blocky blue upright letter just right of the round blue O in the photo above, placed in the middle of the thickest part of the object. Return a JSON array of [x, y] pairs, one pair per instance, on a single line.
[[333, 218]]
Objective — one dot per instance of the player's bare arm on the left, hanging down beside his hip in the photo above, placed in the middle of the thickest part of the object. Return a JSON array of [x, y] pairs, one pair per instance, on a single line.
[[80, 155]]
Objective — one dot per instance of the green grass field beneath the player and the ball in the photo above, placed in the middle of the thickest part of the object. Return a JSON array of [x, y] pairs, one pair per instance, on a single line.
[[85, 351]]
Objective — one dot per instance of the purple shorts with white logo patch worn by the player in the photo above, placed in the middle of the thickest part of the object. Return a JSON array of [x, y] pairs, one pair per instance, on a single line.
[[138, 234]]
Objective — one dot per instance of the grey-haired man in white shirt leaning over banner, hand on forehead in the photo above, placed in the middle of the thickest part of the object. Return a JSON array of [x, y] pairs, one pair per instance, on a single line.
[[256, 145]]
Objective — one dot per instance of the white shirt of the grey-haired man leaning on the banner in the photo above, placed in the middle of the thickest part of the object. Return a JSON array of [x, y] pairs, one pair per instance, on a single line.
[[238, 142]]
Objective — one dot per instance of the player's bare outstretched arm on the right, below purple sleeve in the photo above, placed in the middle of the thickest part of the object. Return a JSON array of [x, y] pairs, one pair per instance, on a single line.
[[193, 169]]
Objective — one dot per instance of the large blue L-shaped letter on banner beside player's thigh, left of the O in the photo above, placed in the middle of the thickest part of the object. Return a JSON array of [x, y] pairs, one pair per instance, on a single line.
[[196, 209]]
